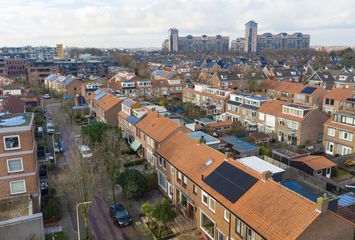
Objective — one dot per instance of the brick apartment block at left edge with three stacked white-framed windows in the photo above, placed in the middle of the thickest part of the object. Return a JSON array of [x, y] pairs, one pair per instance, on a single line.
[[18, 160]]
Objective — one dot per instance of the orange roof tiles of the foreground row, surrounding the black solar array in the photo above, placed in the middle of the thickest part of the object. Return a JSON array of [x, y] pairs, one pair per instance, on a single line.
[[269, 208]]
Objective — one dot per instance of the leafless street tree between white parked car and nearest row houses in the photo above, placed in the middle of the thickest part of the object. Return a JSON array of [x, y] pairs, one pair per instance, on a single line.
[[109, 151]]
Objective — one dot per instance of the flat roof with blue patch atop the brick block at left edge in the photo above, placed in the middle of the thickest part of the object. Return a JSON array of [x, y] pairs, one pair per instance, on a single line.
[[15, 120]]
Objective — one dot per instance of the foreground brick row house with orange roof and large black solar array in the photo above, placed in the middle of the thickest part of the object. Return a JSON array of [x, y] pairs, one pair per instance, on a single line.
[[228, 200]]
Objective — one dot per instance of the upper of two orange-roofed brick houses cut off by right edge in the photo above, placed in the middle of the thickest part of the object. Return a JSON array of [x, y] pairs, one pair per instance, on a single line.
[[338, 99]]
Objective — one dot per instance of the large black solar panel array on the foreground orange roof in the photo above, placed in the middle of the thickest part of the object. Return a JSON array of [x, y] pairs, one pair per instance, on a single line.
[[230, 181]]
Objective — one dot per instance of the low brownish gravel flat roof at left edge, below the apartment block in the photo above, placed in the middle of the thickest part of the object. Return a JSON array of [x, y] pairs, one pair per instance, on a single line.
[[14, 207]]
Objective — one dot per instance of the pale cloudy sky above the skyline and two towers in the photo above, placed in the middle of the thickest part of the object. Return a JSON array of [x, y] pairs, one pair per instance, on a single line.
[[144, 23]]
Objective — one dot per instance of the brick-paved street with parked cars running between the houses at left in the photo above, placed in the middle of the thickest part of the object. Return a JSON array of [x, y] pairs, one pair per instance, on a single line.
[[101, 225]]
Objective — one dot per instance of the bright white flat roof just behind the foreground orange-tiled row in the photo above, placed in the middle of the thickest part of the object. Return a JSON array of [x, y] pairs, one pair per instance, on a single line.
[[259, 165]]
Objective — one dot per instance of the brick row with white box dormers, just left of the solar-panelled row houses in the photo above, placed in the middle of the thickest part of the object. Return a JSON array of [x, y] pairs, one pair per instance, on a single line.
[[208, 98]]
